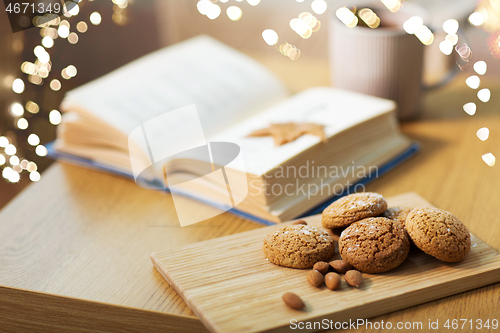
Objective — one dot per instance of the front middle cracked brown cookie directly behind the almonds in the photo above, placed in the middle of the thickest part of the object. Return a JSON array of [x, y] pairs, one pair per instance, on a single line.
[[374, 245]]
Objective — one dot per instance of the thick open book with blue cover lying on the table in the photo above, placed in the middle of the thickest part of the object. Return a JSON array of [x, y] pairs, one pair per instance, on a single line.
[[180, 118]]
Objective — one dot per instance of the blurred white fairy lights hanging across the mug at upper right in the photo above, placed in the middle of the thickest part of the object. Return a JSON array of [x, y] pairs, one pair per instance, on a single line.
[[486, 16]]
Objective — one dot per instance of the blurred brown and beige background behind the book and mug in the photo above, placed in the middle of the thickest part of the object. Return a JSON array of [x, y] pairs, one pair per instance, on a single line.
[[104, 35]]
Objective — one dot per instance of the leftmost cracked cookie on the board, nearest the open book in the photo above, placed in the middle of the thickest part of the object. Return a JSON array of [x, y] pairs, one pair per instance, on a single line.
[[298, 246]]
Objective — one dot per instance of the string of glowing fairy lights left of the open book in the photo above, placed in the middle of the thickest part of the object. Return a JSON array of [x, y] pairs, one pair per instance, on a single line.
[[37, 73]]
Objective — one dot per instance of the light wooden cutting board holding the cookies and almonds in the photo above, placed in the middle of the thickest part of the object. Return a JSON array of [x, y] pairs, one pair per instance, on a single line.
[[231, 286]]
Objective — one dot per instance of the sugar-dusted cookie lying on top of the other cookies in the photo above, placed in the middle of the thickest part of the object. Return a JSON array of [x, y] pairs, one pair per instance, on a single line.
[[352, 208]]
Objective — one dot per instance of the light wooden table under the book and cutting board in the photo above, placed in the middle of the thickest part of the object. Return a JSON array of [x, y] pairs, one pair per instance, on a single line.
[[74, 248]]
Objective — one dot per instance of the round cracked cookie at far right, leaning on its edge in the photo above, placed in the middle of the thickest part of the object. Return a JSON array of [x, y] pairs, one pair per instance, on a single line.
[[438, 233]]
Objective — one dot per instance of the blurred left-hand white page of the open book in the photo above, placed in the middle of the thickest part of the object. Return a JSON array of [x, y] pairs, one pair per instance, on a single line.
[[225, 85]]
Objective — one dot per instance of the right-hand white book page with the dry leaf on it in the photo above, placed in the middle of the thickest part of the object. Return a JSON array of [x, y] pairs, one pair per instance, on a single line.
[[336, 109]]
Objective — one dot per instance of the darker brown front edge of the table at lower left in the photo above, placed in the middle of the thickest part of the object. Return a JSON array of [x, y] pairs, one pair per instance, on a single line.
[[26, 311]]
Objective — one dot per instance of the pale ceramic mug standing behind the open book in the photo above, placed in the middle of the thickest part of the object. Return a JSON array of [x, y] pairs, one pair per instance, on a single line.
[[385, 62]]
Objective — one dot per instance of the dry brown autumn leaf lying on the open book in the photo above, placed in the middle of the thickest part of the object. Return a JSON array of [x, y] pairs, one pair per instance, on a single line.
[[288, 132]]
